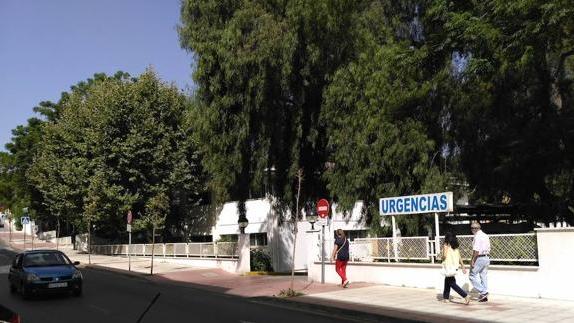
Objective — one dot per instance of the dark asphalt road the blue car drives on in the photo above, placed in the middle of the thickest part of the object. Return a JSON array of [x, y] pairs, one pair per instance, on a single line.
[[113, 297]]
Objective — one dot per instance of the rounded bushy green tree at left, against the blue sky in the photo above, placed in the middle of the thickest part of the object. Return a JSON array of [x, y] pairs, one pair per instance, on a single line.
[[116, 140]]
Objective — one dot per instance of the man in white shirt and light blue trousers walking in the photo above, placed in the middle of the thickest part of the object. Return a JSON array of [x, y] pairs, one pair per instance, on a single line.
[[480, 261]]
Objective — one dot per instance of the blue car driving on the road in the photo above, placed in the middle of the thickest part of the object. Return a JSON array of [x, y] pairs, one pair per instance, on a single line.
[[44, 271]]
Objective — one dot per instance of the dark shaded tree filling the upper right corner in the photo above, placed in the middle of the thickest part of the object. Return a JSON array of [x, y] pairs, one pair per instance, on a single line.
[[508, 98]]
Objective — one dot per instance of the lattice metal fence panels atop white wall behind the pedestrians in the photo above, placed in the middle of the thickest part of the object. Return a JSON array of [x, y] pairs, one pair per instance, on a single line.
[[505, 248]]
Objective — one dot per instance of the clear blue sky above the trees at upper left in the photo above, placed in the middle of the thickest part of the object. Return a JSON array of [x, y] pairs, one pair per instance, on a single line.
[[47, 46]]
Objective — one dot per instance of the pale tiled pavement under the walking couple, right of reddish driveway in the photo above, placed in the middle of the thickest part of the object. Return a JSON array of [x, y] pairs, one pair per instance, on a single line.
[[424, 305]]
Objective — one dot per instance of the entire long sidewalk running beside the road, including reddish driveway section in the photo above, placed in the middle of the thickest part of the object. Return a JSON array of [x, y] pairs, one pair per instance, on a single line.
[[360, 302]]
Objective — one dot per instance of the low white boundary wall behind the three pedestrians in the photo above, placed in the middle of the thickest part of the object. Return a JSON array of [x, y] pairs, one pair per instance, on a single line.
[[551, 279]]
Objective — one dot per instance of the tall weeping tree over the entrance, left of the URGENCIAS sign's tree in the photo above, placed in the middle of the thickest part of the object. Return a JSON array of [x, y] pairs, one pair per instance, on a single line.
[[262, 68]]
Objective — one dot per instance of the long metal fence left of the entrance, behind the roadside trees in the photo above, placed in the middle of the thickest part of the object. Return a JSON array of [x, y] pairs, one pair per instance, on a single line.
[[197, 250]]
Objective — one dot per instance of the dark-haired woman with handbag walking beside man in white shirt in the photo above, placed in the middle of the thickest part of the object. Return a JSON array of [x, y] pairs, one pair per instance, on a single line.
[[450, 264]]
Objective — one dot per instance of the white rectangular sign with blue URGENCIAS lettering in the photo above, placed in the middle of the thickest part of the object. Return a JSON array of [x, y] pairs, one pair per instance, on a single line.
[[416, 204]]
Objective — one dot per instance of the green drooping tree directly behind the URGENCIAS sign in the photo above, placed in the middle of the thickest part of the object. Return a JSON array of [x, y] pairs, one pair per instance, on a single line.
[[379, 126]]
